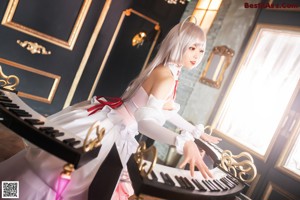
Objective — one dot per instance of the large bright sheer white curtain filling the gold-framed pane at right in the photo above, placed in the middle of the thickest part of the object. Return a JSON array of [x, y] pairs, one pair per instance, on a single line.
[[262, 88]]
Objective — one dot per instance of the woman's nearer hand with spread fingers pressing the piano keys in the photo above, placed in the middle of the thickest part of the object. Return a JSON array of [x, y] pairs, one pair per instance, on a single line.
[[193, 156]]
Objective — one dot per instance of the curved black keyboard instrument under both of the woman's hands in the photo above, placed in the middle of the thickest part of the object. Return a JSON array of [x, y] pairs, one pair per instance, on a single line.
[[177, 184]]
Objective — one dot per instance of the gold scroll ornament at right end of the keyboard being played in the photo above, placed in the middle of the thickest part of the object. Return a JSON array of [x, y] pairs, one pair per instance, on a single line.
[[245, 170]]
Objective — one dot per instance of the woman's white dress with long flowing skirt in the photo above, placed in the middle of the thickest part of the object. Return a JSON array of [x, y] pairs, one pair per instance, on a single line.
[[37, 171]]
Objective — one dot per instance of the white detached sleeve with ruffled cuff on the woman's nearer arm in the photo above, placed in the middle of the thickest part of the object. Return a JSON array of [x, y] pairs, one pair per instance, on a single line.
[[151, 119]]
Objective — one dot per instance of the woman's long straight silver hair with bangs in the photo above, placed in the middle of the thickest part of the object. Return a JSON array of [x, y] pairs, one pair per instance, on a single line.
[[172, 48]]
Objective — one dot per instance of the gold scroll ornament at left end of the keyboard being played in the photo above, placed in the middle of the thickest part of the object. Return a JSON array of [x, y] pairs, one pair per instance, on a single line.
[[140, 155]]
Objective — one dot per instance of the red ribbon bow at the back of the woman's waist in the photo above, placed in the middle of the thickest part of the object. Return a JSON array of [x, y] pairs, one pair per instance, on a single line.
[[113, 102]]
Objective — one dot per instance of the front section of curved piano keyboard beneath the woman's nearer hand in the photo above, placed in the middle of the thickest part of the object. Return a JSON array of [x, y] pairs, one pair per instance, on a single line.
[[173, 183]]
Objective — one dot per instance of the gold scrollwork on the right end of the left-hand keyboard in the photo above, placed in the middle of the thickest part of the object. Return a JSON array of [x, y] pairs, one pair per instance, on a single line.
[[90, 144]]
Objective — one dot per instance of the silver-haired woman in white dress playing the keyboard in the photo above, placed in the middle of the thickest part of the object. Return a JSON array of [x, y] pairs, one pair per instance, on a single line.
[[145, 106]]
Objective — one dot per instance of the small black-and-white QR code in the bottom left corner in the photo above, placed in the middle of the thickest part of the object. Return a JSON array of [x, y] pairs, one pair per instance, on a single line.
[[10, 189]]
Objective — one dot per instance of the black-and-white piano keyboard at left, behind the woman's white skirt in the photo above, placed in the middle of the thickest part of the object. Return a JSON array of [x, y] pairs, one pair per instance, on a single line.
[[30, 125]]
